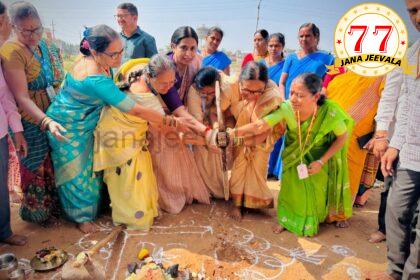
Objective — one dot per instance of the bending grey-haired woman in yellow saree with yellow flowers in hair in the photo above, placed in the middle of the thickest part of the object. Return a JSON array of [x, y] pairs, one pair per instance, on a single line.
[[121, 146]]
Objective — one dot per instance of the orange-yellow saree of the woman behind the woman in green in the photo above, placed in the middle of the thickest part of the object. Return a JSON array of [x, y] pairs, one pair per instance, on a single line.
[[359, 97]]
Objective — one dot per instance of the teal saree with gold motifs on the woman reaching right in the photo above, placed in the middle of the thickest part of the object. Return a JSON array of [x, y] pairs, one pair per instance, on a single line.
[[78, 187]]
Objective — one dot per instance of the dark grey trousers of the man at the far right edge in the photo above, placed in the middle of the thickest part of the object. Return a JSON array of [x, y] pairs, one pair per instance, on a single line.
[[403, 259]]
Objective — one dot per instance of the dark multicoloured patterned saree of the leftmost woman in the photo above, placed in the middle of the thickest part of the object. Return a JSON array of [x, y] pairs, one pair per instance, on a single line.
[[40, 202]]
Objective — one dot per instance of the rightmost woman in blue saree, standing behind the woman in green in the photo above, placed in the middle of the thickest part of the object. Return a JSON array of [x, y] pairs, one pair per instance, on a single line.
[[307, 60]]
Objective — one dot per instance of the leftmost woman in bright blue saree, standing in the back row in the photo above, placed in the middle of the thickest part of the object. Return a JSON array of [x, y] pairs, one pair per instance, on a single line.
[[213, 57]]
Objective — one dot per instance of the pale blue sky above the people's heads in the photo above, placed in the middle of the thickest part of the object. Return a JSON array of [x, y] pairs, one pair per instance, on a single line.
[[237, 18]]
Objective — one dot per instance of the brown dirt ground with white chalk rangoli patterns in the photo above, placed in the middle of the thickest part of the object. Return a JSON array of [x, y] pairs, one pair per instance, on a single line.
[[203, 238]]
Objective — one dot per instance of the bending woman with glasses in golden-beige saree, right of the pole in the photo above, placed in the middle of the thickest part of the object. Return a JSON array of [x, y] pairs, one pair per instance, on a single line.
[[257, 96]]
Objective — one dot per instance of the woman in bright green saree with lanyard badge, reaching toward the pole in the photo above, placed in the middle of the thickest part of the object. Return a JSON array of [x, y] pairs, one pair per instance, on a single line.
[[316, 144]]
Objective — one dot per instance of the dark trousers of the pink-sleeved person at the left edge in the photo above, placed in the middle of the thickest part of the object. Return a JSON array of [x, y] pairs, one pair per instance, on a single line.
[[5, 230]]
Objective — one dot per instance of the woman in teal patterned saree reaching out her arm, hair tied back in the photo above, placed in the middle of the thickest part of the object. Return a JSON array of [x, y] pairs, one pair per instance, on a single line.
[[87, 88]]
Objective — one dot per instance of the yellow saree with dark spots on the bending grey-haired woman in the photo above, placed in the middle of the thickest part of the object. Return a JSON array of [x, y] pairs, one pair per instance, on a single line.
[[121, 152]]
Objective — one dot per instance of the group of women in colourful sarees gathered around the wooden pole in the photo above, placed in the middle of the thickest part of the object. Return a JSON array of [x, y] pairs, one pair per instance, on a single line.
[[151, 132]]
